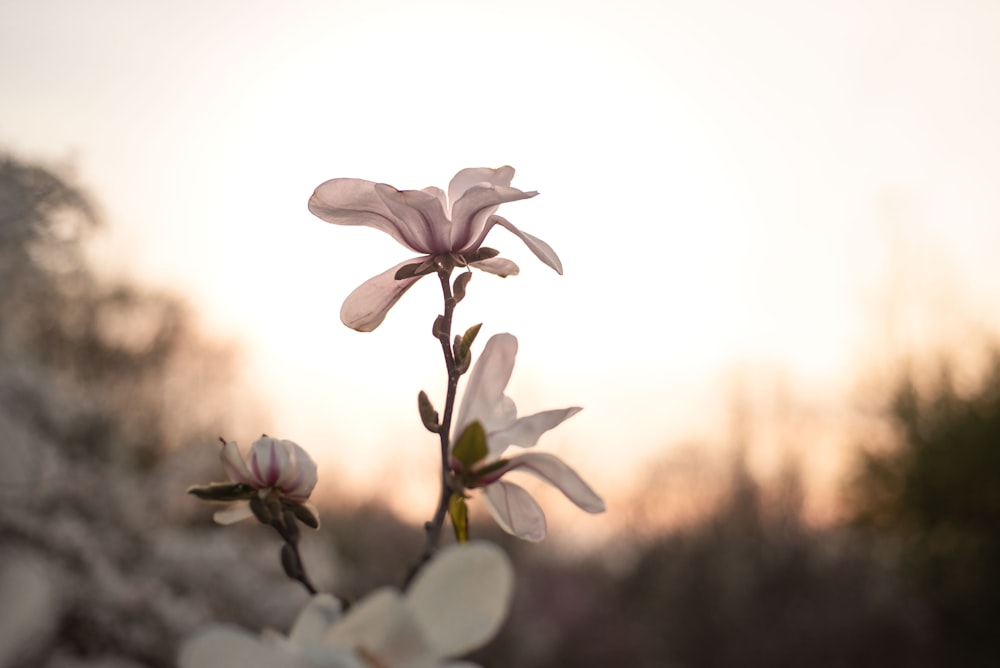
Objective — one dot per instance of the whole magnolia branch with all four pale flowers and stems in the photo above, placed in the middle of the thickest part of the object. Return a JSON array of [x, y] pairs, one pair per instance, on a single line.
[[455, 598]]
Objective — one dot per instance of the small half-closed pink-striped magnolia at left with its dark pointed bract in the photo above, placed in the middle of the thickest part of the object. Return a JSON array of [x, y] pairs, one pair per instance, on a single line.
[[276, 471]]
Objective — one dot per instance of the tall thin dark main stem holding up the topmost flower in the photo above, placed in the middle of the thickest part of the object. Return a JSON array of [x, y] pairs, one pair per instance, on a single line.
[[442, 331]]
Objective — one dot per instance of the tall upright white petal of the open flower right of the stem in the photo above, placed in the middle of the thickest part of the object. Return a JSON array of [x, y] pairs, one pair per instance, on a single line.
[[484, 399]]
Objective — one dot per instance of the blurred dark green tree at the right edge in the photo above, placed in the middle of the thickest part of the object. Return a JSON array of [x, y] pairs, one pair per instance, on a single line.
[[936, 492]]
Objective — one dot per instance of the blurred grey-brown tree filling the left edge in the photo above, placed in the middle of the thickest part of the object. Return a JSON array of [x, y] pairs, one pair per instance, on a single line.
[[109, 398]]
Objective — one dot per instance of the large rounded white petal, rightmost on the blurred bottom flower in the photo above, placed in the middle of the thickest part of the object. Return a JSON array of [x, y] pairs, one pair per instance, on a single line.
[[453, 621]]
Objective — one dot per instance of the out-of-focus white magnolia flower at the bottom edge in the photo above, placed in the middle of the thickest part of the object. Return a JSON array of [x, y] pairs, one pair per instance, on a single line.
[[455, 604]]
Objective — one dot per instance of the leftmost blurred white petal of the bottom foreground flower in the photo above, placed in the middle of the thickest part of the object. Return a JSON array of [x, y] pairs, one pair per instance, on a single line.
[[230, 647]]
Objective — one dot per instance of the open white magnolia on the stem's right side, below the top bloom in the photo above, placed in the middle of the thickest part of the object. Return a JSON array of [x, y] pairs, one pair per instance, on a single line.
[[487, 424]]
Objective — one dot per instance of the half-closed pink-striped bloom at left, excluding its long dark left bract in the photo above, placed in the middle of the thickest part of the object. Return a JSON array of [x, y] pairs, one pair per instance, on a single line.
[[275, 468]]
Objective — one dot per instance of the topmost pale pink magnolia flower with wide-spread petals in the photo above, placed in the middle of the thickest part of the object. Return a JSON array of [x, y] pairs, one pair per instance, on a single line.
[[446, 229]]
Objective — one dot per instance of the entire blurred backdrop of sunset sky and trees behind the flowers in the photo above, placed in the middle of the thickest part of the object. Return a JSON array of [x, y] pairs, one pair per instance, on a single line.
[[779, 224]]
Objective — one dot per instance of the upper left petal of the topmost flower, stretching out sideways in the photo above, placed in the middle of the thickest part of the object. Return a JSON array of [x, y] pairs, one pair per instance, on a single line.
[[356, 202]]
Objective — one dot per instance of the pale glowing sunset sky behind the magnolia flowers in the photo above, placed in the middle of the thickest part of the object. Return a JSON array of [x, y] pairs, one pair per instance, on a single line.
[[767, 195]]
